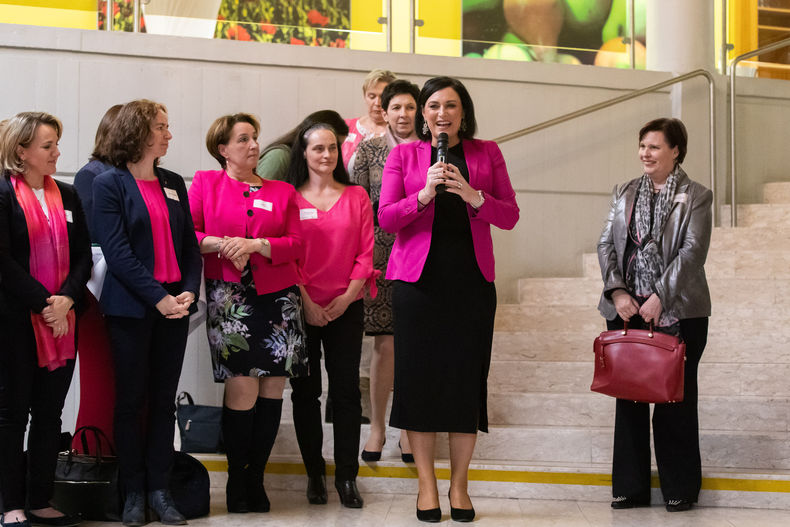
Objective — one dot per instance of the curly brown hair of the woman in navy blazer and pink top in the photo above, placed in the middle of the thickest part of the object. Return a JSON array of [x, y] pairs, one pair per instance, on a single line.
[[130, 131]]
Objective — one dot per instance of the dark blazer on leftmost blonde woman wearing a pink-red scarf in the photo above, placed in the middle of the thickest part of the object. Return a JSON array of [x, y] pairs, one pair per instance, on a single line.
[[20, 293]]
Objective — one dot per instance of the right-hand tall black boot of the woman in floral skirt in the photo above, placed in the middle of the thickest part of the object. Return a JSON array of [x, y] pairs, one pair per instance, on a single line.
[[266, 423]]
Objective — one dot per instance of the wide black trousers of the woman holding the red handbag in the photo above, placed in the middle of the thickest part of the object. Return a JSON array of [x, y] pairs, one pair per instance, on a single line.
[[675, 431]]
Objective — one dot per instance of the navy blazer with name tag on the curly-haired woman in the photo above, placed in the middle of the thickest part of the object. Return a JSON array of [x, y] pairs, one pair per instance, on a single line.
[[122, 227]]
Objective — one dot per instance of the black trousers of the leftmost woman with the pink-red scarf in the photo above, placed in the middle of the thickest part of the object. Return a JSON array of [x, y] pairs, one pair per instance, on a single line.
[[27, 390]]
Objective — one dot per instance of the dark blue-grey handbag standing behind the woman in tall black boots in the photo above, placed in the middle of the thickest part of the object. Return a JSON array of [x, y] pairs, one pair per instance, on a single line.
[[200, 426]]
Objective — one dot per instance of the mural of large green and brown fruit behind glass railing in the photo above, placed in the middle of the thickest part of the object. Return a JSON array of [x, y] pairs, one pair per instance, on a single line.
[[561, 31]]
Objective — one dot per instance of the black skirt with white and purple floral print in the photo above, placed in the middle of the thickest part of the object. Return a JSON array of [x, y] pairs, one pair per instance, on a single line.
[[255, 335]]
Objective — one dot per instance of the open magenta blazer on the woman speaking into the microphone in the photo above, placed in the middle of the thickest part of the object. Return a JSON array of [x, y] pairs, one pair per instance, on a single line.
[[404, 177]]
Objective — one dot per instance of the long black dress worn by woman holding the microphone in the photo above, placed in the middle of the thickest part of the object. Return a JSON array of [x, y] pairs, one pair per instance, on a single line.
[[444, 324]]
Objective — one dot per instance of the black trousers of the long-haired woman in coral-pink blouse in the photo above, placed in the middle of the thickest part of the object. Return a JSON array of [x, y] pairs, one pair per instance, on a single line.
[[342, 340]]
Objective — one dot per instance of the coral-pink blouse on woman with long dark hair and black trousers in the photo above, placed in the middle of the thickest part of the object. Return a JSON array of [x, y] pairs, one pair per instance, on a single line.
[[338, 246]]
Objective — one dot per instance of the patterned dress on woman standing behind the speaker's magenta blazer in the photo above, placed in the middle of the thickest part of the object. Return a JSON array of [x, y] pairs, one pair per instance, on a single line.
[[368, 167]]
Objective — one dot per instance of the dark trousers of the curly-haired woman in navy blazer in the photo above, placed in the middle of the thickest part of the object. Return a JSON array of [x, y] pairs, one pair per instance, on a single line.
[[148, 355]]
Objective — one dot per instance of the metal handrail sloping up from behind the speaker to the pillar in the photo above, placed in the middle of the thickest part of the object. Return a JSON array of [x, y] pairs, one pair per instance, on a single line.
[[627, 97]]
